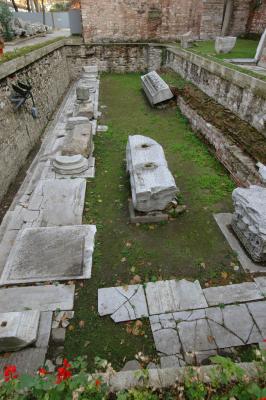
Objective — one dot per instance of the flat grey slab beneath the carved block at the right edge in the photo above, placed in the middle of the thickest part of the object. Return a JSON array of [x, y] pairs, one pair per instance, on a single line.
[[224, 221]]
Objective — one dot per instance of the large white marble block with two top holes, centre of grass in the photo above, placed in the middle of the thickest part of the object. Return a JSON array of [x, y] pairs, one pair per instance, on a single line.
[[152, 184]]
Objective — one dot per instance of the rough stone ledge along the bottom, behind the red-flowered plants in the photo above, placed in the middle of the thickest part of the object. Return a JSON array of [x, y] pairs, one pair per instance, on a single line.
[[168, 377]]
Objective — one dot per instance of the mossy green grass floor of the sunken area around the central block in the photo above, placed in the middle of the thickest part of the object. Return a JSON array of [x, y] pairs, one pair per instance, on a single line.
[[190, 246]]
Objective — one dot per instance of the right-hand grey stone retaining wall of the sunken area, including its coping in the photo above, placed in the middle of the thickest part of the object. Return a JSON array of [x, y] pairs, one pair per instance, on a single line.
[[241, 93]]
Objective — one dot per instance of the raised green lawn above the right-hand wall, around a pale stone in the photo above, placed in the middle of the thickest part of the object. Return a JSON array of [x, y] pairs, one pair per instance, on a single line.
[[244, 48]]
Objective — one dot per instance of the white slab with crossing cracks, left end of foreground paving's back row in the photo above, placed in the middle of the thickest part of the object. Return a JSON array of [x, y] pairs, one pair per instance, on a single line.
[[123, 303]]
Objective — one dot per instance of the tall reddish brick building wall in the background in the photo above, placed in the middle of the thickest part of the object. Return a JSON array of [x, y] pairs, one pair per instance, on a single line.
[[164, 20]]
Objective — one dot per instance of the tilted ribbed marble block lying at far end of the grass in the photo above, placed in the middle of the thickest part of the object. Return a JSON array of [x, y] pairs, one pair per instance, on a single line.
[[156, 88]]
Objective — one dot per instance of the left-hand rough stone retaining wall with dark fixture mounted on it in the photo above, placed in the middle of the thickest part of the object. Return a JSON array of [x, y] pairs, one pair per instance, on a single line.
[[47, 70]]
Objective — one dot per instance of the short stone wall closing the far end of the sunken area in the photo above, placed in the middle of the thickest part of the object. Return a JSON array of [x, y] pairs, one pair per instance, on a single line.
[[120, 58]]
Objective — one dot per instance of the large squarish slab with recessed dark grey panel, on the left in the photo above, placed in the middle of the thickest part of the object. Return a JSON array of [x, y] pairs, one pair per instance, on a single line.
[[54, 253]]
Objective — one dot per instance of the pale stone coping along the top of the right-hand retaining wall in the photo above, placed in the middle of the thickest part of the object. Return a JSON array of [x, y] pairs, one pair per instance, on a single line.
[[240, 79]]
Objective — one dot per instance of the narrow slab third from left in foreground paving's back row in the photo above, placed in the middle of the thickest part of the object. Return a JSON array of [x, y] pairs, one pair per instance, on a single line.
[[230, 294]]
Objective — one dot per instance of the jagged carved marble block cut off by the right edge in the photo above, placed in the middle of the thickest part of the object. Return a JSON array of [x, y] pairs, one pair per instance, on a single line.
[[249, 220]]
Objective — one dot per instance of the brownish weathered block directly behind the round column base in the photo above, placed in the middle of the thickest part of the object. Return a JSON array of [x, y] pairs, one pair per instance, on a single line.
[[78, 141]]
